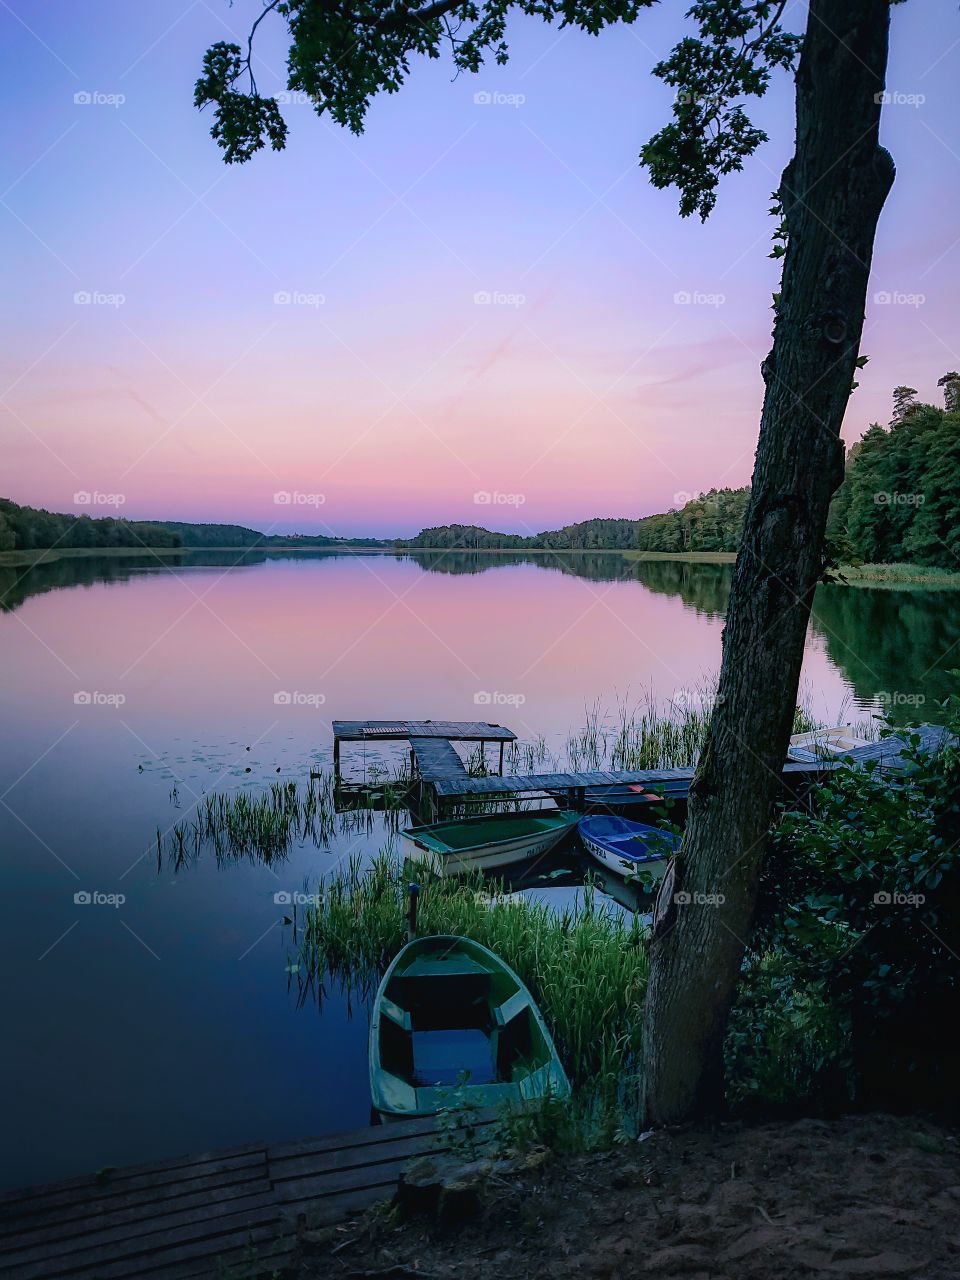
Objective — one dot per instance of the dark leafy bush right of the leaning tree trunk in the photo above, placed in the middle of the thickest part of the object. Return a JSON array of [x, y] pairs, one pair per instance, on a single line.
[[851, 982]]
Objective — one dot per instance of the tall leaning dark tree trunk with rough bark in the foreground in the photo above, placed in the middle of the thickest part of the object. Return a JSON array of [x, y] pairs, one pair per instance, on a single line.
[[833, 194]]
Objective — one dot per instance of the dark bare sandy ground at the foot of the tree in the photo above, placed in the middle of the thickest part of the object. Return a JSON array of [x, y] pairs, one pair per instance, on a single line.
[[863, 1196]]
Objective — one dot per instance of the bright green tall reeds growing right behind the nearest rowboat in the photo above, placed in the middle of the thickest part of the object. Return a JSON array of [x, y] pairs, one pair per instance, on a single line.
[[587, 970]]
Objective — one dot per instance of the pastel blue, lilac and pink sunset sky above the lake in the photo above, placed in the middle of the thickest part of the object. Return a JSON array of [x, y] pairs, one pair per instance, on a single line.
[[382, 394]]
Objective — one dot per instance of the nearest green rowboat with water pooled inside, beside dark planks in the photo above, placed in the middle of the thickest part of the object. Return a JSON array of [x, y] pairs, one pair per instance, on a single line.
[[452, 1020]]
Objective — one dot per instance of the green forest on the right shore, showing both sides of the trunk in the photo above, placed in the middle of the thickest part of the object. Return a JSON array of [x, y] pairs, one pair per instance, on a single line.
[[899, 502]]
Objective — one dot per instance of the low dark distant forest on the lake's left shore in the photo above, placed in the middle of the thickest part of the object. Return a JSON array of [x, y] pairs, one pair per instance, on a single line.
[[35, 529]]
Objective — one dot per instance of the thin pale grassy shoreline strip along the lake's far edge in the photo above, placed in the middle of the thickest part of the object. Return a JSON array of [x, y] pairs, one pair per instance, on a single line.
[[856, 575]]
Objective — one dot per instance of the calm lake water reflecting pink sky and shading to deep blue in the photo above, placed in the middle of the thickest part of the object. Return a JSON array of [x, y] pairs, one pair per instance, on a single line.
[[170, 1023]]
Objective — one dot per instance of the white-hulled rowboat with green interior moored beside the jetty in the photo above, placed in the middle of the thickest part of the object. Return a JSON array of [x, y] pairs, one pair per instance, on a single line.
[[490, 840]]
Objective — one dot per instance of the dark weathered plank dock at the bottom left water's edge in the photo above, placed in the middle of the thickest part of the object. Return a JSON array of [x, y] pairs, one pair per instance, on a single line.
[[188, 1218]]
